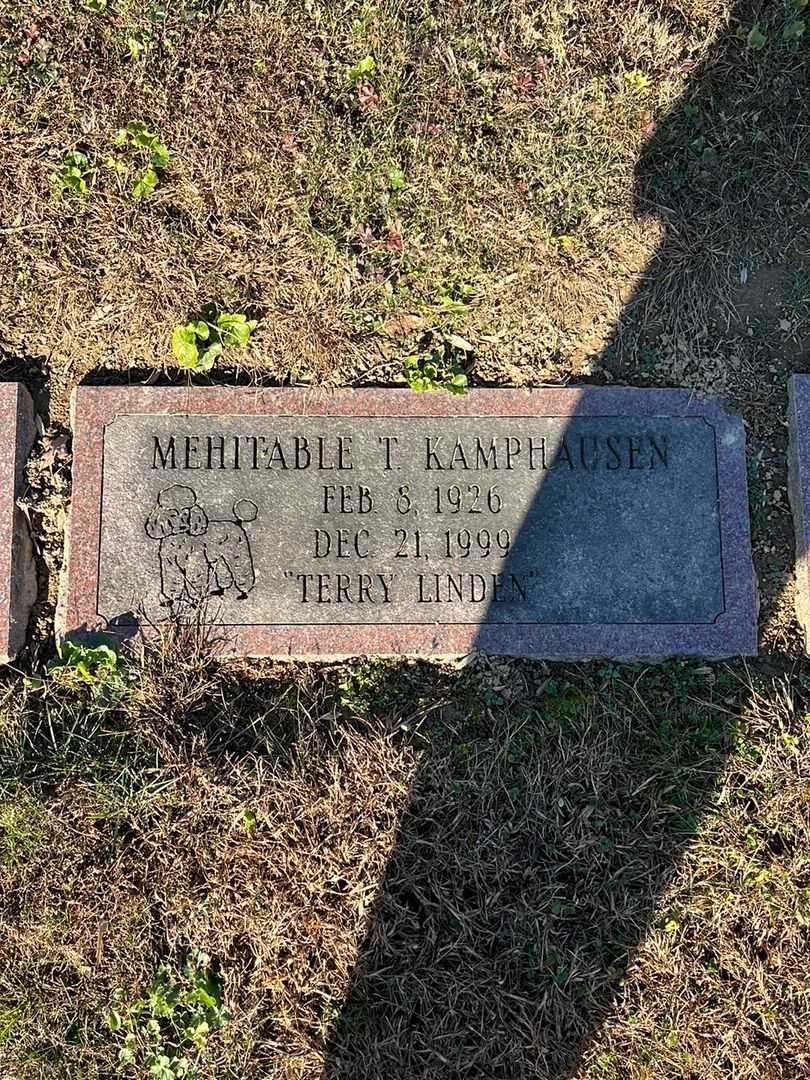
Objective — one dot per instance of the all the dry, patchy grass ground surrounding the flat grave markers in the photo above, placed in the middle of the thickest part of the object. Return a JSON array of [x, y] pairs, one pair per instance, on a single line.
[[503, 870]]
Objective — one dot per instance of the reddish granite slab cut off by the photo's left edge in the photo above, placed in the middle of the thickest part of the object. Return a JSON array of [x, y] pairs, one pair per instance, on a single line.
[[18, 574]]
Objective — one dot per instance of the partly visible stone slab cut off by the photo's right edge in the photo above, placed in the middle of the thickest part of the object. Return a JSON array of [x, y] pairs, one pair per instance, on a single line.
[[800, 493]]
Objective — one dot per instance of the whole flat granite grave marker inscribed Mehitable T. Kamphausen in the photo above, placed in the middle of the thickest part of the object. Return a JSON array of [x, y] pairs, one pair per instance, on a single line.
[[559, 523]]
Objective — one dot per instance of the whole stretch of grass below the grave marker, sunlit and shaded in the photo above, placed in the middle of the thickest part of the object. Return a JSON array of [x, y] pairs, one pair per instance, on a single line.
[[411, 871]]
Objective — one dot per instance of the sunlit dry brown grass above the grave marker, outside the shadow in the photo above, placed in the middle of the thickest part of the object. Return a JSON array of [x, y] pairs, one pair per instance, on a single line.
[[512, 127]]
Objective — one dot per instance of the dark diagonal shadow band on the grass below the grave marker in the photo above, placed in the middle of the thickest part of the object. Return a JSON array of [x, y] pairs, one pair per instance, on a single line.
[[547, 818]]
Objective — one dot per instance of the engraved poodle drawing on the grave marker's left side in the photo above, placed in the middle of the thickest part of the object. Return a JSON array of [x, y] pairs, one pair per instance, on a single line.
[[200, 558]]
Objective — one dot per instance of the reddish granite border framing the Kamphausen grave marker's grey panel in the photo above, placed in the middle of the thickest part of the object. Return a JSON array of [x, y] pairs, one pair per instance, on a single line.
[[733, 634]]
